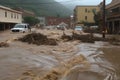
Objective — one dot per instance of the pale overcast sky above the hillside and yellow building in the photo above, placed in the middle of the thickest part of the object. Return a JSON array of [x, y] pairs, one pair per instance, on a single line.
[[83, 2]]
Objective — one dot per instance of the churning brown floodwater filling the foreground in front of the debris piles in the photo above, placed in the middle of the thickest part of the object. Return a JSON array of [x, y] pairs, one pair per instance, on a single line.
[[67, 61]]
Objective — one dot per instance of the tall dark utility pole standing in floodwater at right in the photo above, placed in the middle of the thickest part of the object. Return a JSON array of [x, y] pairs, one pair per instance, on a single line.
[[104, 21]]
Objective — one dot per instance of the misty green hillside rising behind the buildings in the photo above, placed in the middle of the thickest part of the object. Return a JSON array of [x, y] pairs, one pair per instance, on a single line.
[[40, 7]]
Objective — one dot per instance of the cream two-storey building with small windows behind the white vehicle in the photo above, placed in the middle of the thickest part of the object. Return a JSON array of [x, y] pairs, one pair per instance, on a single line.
[[9, 17]]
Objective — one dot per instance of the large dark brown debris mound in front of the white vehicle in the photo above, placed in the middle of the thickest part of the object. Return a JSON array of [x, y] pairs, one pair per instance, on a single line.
[[38, 38]]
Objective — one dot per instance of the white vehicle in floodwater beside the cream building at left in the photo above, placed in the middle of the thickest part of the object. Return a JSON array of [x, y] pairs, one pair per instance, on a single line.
[[21, 28]]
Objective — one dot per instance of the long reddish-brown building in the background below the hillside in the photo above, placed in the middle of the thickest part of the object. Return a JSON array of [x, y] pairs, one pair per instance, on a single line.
[[54, 21]]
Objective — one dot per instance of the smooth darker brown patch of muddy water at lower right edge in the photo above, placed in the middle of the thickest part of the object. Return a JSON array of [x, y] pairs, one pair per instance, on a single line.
[[112, 54]]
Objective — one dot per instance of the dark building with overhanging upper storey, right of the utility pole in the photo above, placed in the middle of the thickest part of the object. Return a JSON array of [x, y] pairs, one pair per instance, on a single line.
[[113, 17]]
